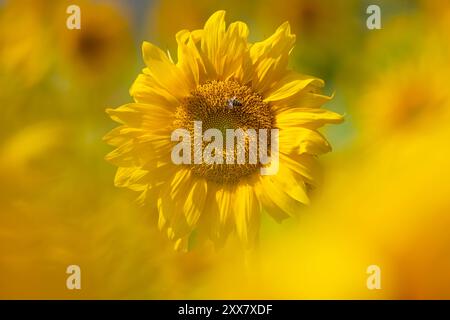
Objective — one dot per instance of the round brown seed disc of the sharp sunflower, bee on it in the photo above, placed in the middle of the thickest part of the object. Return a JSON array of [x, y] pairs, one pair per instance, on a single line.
[[226, 106]]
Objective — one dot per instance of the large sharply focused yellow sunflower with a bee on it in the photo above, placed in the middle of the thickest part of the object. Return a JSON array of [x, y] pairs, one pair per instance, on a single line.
[[223, 81]]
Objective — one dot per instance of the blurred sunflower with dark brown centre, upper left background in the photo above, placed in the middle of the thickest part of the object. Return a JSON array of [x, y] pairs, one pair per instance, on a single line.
[[100, 50]]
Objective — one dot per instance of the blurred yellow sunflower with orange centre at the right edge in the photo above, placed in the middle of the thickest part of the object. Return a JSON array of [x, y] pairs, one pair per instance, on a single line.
[[405, 100]]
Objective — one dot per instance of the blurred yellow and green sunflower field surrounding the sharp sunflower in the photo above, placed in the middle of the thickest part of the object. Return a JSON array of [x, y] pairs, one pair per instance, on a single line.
[[385, 197]]
